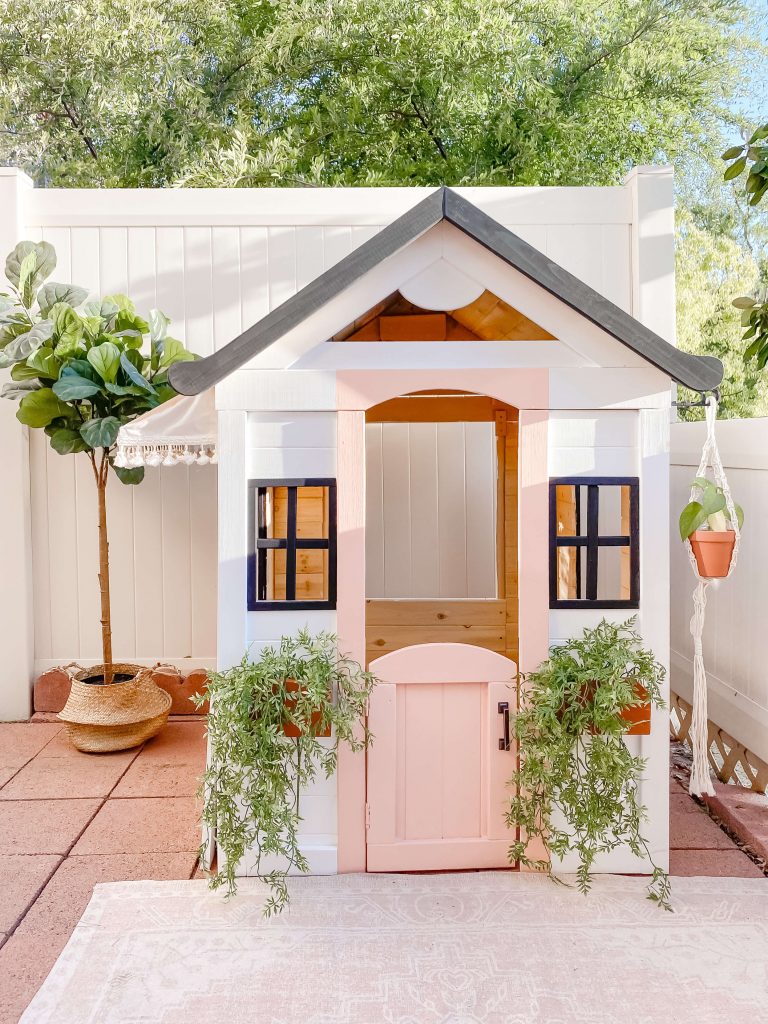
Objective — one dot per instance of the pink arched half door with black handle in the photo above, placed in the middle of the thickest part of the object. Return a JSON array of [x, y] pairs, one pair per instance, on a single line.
[[441, 759]]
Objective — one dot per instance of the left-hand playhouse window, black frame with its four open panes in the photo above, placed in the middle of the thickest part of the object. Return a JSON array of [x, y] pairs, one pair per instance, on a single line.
[[292, 544]]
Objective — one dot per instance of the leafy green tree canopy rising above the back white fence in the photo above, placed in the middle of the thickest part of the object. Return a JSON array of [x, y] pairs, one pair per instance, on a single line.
[[360, 92]]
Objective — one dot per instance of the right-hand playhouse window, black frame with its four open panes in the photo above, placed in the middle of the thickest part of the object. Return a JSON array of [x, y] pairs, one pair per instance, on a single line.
[[594, 543]]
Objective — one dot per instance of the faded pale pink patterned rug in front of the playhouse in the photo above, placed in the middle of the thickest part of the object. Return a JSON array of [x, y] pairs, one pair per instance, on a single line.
[[497, 949]]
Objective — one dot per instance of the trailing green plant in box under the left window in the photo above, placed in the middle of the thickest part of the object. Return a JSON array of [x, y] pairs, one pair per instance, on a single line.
[[252, 788]]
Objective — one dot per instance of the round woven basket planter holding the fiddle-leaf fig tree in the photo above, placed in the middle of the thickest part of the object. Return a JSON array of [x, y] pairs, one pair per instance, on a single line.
[[115, 717]]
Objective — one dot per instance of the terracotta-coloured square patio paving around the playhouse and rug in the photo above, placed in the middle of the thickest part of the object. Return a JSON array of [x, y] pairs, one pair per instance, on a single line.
[[70, 821]]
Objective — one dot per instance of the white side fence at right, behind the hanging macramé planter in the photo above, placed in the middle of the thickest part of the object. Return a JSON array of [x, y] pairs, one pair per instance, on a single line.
[[737, 633]]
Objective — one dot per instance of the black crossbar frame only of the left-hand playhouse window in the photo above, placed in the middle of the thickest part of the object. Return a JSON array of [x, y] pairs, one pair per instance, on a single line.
[[260, 545]]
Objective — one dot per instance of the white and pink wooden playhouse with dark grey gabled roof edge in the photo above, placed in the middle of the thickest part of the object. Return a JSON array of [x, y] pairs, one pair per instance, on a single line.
[[452, 452]]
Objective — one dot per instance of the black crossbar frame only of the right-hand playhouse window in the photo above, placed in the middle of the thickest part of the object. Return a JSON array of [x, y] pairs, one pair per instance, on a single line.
[[593, 541]]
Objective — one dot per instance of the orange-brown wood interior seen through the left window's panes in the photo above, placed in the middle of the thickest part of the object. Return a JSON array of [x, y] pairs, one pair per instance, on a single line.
[[312, 567]]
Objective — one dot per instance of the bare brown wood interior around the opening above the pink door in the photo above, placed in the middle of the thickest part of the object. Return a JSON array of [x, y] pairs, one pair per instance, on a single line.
[[491, 623]]
